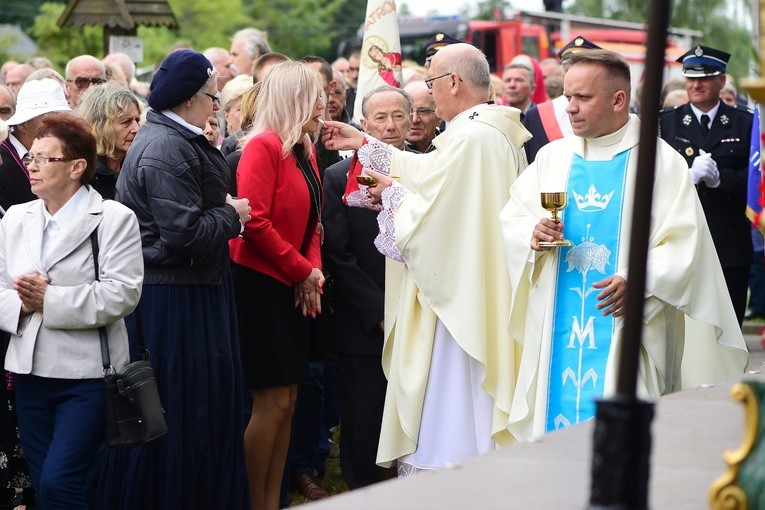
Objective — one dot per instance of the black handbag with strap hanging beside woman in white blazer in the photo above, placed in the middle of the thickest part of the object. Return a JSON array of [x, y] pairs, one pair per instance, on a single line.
[[133, 410]]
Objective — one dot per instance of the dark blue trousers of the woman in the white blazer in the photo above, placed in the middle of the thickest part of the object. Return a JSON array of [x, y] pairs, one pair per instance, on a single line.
[[61, 422]]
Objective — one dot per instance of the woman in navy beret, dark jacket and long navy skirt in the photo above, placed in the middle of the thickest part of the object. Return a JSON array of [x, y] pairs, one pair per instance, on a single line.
[[176, 183]]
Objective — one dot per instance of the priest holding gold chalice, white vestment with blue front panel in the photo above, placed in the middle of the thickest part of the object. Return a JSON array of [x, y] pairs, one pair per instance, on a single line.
[[567, 301]]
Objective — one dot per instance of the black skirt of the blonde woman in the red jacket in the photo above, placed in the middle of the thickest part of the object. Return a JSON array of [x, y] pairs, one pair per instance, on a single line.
[[273, 333]]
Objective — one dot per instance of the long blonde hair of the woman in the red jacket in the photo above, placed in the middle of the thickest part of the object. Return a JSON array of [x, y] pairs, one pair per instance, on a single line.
[[285, 103]]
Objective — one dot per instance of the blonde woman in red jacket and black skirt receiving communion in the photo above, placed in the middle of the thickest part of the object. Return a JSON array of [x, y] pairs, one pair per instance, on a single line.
[[277, 264]]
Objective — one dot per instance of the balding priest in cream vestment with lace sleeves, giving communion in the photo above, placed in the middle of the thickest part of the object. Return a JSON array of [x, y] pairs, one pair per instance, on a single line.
[[447, 355]]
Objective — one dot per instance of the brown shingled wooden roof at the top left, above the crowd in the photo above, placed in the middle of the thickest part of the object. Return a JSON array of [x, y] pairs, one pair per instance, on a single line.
[[124, 14]]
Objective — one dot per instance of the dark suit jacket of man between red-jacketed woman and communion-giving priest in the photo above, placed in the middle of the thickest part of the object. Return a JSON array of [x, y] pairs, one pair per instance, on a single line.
[[357, 268]]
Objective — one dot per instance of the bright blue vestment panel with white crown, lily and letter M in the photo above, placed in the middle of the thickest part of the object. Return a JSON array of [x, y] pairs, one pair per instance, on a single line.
[[581, 335]]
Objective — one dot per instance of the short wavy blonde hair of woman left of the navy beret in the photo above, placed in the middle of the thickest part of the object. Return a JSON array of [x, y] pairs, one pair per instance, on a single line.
[[101, 106]]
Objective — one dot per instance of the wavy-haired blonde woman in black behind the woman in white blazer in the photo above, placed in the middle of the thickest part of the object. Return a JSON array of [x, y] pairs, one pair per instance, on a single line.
[[114, 115]]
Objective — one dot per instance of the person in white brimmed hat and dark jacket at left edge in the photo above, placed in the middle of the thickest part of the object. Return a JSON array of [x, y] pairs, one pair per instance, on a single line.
[[36, 99]]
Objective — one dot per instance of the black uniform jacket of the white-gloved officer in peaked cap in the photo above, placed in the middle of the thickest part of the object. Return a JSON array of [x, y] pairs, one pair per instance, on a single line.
[[728, 143]]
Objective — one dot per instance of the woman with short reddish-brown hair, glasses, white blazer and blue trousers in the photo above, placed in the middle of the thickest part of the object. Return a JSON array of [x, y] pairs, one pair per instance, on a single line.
[[53, 307]]
